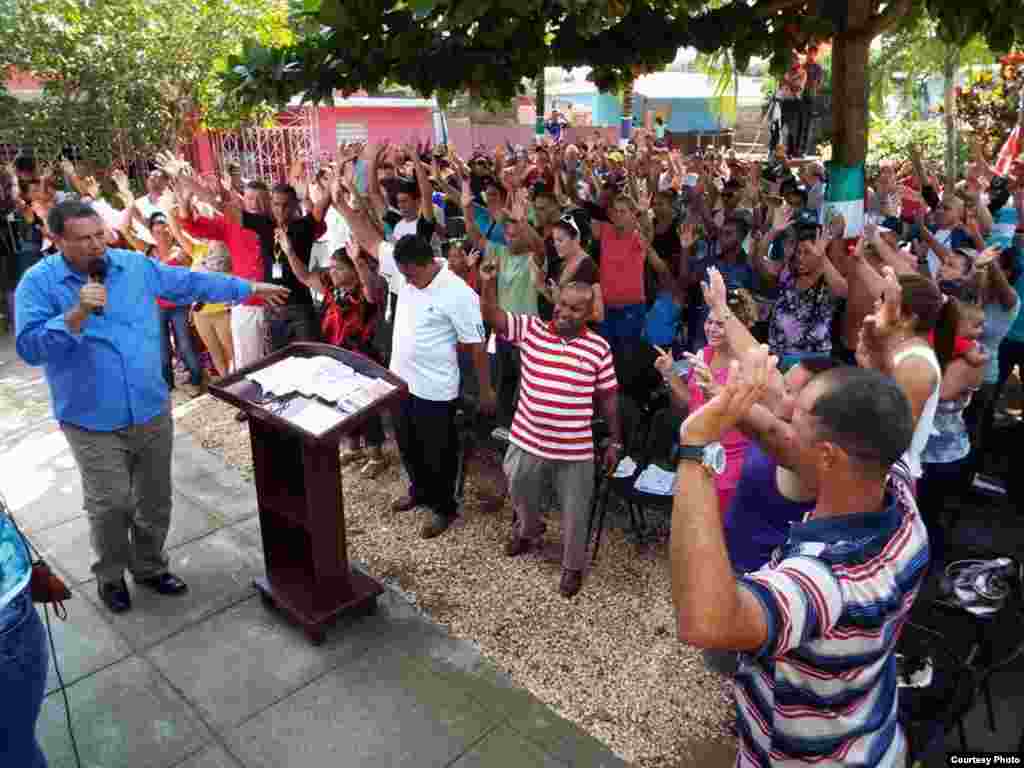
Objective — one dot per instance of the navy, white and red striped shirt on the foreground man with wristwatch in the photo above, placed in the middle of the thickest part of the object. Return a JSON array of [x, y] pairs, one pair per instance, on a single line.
[[823, 691]]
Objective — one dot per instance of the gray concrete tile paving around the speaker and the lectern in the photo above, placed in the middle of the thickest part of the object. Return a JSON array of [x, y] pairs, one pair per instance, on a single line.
[[216, 679]]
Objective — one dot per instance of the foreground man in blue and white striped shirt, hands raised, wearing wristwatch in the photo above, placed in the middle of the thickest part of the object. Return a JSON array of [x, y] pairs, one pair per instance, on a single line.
[[818, 626]]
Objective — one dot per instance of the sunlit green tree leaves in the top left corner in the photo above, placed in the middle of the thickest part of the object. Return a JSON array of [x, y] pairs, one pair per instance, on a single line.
[[145, 71]]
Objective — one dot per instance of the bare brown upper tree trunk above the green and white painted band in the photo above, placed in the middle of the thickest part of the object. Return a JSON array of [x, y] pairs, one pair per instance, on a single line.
[[850, 84]]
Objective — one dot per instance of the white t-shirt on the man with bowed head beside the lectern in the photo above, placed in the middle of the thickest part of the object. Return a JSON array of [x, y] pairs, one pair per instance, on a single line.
[[429, 324]]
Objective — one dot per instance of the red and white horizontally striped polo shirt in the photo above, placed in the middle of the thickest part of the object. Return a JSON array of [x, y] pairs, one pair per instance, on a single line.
[[558, 383]]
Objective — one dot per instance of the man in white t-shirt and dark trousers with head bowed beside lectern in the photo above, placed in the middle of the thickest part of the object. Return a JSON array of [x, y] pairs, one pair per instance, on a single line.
[[437, 312]]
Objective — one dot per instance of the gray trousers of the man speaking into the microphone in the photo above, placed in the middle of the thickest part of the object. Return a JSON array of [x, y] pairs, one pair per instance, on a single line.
[[126, 482]]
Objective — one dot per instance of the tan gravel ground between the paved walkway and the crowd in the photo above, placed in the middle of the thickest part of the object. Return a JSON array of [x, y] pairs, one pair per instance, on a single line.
[[608, 660]]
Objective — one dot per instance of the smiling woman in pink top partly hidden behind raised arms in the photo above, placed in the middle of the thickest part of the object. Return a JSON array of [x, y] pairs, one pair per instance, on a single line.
[[709, 372]]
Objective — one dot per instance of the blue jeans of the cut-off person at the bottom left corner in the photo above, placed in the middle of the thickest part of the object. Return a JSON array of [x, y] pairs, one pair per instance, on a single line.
[[24, 662]]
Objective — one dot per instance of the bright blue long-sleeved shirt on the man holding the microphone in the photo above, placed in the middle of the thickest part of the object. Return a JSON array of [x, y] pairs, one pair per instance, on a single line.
[[108, 376]]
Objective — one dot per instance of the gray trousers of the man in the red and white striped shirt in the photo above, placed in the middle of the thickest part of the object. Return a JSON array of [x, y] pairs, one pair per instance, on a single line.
[[574, 483]]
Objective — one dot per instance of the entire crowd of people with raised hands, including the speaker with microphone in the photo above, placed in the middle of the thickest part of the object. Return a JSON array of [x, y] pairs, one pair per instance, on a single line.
[[828, 396]]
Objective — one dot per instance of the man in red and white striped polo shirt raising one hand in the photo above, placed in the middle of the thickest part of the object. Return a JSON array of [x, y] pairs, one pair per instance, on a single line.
[[565, 368]]
